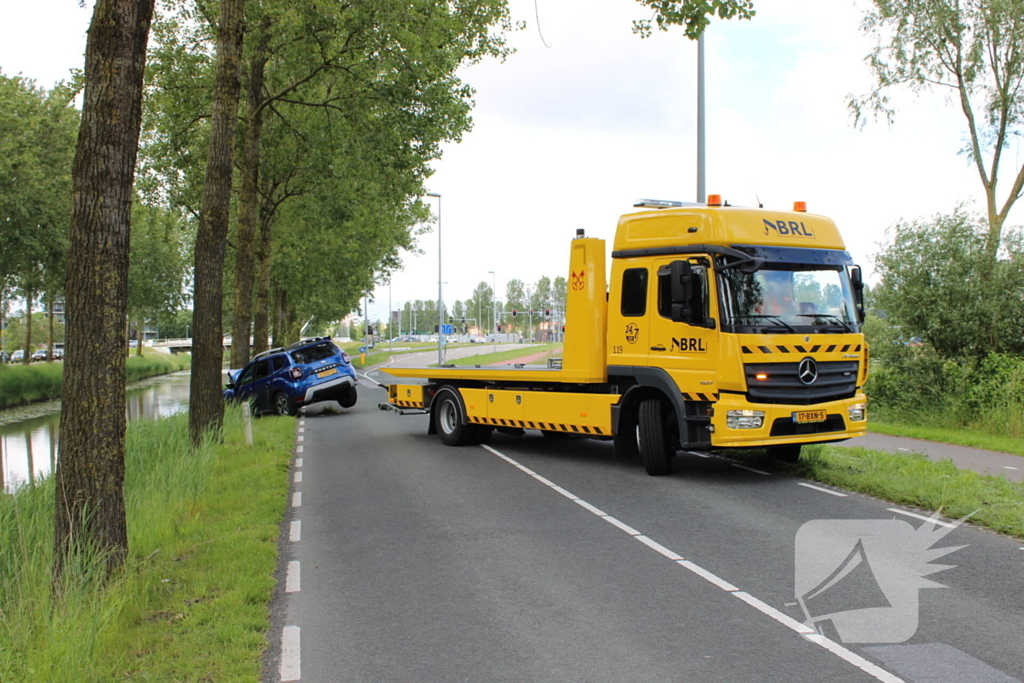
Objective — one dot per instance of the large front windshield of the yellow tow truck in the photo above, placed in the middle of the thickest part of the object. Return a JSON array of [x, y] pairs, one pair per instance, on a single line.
[[788, 297]]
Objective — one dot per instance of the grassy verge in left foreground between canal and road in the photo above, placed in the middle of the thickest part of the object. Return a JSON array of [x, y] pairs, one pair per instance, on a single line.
[[191, 605]]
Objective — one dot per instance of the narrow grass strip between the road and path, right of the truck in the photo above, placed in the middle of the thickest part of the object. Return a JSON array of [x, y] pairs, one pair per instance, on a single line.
[[909, 480]]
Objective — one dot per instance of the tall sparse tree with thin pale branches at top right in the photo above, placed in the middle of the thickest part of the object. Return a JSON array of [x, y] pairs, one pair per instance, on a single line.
[[972, 50]]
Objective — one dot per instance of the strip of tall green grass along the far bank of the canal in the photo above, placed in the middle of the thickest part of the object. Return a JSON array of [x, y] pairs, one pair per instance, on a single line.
[[25, 385]]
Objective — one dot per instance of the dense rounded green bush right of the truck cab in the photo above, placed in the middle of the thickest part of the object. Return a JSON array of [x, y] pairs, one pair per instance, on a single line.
[[937, 284]]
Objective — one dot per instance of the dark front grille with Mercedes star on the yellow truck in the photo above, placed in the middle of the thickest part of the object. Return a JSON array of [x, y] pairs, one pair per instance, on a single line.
[[836, 379]]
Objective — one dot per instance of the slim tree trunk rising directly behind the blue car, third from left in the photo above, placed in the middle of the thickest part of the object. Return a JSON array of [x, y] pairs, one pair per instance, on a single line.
[[248, 209]]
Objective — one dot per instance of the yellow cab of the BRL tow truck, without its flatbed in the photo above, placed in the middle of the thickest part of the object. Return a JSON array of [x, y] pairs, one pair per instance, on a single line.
[[744, 324]]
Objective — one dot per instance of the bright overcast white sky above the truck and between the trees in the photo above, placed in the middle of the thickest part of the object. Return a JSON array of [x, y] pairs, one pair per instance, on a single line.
[[569, 137]]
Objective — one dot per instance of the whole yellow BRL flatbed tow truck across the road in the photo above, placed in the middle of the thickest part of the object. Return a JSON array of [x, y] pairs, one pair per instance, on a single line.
[[722, 328]]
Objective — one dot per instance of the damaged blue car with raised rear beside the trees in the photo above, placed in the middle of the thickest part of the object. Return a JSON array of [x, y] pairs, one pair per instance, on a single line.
[[283, 380]]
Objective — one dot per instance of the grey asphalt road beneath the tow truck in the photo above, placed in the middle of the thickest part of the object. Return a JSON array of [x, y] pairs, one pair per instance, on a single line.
[[537, 561]]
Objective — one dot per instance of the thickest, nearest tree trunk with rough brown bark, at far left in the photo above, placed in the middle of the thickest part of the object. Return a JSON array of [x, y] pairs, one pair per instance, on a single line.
[[90, 499]]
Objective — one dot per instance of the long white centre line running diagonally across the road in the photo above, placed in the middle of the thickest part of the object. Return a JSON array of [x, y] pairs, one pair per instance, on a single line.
[[808, 633]]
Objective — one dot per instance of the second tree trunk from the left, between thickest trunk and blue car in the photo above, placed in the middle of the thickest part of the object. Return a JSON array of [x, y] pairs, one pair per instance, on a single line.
[[207, 404]]
